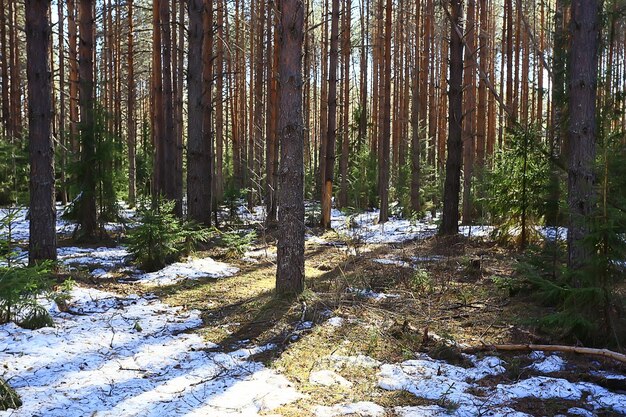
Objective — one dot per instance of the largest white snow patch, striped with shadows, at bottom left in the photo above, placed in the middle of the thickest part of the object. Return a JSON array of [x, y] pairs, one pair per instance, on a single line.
[[127, 356]]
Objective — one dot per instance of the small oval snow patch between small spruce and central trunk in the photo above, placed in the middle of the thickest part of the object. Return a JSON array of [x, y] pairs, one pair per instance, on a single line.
[[191, 269]]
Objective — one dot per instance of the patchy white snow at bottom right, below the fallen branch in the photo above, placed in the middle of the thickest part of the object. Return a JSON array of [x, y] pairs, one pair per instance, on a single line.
[[439, 381]]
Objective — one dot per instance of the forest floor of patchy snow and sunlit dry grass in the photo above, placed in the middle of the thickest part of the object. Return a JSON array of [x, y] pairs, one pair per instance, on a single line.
[[378, 332]]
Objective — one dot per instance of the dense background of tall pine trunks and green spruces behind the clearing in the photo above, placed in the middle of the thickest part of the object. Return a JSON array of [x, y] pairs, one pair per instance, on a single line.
[[181, 99]]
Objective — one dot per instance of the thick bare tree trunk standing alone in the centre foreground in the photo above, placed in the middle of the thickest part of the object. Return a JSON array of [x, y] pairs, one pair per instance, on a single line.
[[290, 270]]
